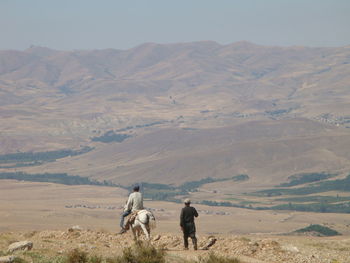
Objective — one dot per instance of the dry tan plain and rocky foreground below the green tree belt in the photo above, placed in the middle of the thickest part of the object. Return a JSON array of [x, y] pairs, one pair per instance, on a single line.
[[43, 212]]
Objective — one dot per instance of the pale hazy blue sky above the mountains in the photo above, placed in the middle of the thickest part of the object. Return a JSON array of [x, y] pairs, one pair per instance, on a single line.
[[122, 24]]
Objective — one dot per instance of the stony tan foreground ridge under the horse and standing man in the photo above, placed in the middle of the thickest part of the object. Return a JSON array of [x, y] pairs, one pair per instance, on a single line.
[[249, 249]]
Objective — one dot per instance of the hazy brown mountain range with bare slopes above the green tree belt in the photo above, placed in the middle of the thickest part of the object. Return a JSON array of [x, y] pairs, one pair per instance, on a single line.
[[184, 111]]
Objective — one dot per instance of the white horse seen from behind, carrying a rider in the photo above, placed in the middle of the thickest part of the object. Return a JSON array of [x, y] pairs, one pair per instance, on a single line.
[[144, 221]]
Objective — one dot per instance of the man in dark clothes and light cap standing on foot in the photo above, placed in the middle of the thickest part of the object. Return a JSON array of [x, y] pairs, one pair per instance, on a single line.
[[188, 227]]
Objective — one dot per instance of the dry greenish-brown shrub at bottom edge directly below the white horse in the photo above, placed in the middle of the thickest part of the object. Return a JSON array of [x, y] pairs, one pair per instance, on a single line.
[[140, 253]]
